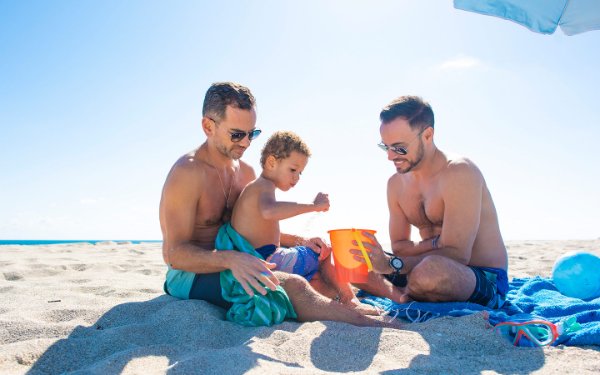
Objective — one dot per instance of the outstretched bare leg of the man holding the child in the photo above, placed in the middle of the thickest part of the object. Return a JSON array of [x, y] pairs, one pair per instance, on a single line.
[[311, 306]]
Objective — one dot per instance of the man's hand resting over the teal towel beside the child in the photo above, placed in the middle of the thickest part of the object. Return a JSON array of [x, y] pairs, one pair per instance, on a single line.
[[252, 272]]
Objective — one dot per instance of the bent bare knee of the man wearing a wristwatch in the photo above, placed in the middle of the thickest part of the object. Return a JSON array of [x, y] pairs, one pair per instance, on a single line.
[[437, 279]]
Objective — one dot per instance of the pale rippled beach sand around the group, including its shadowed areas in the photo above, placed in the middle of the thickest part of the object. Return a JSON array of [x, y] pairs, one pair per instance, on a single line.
[[101, 309]]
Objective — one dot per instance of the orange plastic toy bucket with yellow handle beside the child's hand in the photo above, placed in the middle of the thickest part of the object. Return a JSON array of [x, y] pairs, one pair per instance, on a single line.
[[347, 268]]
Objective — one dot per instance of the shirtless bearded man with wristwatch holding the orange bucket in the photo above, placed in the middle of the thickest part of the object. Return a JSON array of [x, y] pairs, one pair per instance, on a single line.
[[462, 256]]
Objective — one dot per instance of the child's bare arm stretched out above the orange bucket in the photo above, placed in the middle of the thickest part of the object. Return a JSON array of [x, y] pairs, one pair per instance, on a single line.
[[271, 209]]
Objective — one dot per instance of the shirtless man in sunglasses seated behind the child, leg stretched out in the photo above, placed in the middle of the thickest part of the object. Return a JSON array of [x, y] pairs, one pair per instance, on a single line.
[[198, 196]]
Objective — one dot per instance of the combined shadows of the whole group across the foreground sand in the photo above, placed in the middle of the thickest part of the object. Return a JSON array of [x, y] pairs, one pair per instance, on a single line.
[[187, 337]]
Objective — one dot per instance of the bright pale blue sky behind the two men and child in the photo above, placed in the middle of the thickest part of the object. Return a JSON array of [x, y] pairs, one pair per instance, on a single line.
[[99, 98]]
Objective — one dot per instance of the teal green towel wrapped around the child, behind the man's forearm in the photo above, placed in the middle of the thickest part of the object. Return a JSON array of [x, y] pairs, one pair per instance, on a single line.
[[258, 310]]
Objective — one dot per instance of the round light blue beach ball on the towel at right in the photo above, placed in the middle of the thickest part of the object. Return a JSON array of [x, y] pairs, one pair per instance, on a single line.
[[577, 274]]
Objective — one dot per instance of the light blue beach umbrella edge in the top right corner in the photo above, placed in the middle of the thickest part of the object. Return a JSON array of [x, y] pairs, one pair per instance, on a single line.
[[542, 16]]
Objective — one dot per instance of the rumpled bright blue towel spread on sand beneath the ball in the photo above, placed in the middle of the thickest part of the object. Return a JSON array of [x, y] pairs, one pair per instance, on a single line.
[[537, 296]]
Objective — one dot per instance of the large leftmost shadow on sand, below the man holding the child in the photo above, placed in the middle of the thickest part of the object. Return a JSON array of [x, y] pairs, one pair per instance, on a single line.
[[187, 334]]
